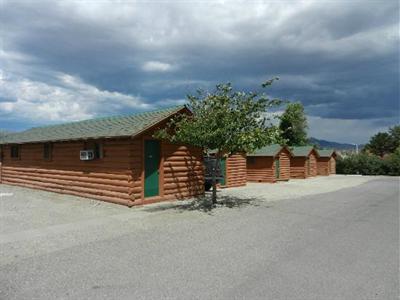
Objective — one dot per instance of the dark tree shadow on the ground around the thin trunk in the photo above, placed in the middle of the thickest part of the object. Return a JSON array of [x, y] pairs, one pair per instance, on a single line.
[[203, 203]]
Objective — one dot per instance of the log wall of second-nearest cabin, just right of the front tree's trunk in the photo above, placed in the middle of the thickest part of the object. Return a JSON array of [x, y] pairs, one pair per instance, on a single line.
[[236, 174]]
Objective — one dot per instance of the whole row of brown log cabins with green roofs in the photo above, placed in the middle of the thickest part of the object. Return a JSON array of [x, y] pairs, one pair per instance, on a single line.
[[116, 159]]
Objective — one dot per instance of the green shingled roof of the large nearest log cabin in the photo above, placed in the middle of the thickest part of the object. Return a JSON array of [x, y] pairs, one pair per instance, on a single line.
[[116, 126]]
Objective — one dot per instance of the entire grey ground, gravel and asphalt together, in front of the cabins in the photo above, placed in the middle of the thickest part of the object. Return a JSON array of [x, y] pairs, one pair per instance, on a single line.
[[330, 237]]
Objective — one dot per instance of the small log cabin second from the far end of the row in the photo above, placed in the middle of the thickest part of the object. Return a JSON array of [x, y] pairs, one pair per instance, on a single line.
[[303, 162]]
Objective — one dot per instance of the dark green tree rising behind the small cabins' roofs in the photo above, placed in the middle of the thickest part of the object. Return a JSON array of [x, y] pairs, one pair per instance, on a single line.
[[293, 124]]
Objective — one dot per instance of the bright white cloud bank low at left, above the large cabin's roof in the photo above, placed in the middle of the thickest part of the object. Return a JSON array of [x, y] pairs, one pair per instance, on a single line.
[[70, 100]]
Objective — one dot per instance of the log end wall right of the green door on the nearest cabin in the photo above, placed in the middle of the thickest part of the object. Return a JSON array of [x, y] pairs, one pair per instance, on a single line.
[[183, 173]]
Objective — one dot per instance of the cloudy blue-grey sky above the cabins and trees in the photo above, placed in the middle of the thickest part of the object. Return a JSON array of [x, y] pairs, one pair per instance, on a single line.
[[71, 60]]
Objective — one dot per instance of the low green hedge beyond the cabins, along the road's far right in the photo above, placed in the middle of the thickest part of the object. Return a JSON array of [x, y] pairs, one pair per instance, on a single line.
[[367, 164]]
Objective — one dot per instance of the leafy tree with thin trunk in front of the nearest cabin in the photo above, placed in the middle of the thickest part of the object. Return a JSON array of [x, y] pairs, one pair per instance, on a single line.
[[226, 121]]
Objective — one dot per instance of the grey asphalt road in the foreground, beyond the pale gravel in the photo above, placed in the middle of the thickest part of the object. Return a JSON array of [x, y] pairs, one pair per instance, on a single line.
[[339, 245]]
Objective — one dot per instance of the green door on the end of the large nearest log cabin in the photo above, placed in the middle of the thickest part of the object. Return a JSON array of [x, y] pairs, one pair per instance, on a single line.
[[151, 165]]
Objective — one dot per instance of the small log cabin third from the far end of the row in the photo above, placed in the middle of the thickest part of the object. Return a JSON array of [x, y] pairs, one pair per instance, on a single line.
[[269, 164]]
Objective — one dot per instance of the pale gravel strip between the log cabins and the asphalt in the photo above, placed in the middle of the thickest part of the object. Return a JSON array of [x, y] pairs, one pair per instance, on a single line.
[[34, 222]]
